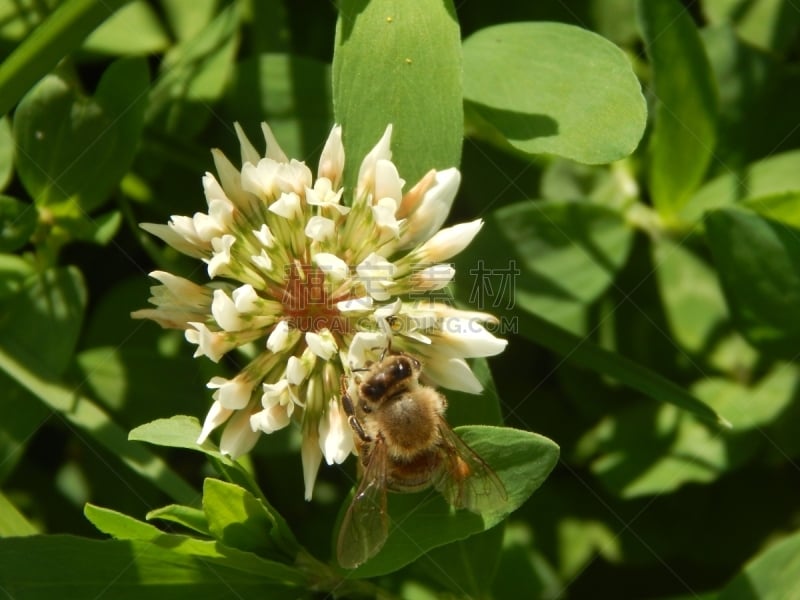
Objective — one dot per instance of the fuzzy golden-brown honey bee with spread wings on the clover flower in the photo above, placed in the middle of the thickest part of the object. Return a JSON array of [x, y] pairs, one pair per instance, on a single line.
[[405, 445]]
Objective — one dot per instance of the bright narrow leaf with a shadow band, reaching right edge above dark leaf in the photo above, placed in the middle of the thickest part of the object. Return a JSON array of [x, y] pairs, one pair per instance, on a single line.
[[769, 177]]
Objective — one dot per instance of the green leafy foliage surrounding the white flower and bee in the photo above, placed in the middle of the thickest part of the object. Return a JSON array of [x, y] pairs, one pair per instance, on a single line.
[[637, 164]]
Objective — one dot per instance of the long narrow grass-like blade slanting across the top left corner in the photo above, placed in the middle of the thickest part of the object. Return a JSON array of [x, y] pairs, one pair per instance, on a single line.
[[62, 32]]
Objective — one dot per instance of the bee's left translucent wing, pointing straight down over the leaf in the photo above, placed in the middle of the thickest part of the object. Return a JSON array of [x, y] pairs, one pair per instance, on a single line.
[[365, 526]]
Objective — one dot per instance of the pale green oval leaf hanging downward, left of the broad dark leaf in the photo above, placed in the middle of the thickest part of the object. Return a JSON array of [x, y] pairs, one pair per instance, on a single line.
[[693, 301]]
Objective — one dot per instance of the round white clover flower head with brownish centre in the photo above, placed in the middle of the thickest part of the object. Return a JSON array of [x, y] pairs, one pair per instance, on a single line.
[[321, 279]]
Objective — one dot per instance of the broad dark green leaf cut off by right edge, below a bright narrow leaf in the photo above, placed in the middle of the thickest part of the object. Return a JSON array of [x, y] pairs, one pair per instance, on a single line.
[[759, 266]]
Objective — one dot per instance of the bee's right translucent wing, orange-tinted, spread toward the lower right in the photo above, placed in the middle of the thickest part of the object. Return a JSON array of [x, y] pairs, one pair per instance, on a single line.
[[466, 481]]
